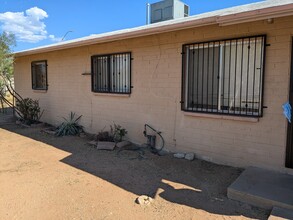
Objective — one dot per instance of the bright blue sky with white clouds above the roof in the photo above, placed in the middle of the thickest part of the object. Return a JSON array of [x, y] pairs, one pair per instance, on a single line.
[[42, 22]]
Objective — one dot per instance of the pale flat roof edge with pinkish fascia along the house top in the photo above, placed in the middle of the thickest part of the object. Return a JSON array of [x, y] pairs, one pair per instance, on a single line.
[[234, 15]]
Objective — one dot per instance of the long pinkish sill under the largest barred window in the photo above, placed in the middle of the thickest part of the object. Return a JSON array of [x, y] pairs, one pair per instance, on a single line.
[[225, 117]]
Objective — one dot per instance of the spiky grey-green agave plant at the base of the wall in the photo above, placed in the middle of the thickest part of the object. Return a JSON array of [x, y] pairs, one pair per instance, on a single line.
[[70, 126]]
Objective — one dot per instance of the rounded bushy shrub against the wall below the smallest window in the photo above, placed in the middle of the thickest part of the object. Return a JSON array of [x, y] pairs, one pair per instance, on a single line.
[[30, 111]]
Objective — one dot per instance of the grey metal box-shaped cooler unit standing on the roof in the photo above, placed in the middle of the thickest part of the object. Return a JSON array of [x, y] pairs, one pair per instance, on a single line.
[[167, 10]]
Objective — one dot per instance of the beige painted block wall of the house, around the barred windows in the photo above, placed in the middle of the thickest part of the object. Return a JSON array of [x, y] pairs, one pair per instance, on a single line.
[[155, 98]]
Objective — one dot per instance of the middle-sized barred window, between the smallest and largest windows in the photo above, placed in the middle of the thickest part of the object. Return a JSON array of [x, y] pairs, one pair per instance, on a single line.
[[112, 73]]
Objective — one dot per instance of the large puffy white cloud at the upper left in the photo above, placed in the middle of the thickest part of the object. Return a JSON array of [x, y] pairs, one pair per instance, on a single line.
[[28, 26]]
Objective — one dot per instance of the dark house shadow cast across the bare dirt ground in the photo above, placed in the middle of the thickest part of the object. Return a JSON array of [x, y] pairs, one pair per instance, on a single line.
[[197, 184]]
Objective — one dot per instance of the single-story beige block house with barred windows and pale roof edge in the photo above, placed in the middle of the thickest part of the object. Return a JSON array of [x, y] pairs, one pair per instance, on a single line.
[[213, 84]]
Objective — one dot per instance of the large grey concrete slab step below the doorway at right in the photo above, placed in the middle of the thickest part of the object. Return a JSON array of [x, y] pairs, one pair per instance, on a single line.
[[263, 188]]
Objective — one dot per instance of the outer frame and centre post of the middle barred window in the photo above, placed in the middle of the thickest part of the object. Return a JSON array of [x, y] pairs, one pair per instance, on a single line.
[[108, 76]]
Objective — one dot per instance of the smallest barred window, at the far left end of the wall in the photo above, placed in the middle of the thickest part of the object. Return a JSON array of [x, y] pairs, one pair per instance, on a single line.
[[39, 75]]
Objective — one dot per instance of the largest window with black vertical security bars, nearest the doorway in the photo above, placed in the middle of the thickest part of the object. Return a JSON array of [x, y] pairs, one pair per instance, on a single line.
[[224, 77]]
